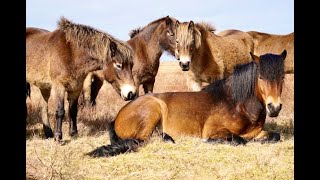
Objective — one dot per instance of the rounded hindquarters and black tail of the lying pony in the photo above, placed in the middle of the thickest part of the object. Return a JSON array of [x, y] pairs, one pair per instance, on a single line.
[[133, 125]]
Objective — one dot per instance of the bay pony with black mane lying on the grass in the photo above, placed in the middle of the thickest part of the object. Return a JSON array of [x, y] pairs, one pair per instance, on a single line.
[[231, 110]]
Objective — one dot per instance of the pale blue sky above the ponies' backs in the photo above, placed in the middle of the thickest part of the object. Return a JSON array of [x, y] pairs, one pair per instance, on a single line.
[[118, 17]]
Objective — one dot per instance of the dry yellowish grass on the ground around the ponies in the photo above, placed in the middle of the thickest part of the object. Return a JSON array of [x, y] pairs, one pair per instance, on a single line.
[[189, 158]]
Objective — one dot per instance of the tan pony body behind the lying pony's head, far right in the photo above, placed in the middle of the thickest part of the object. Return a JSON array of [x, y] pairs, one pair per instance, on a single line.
[[272, 43]]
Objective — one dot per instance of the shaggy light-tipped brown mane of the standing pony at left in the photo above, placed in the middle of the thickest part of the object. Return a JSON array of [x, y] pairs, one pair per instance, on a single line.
[[96, 42]]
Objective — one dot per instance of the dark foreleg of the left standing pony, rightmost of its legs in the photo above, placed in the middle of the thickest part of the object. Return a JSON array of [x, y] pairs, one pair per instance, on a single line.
[[73, 110]]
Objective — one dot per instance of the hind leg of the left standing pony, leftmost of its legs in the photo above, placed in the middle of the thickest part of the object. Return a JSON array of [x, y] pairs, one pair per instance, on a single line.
[[44, 113]]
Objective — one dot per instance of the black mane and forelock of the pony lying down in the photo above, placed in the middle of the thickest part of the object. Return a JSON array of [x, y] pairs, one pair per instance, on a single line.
[[243, 80]]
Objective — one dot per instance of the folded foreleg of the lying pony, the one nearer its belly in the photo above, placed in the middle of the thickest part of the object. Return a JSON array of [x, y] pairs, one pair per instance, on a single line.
[[224, 136]]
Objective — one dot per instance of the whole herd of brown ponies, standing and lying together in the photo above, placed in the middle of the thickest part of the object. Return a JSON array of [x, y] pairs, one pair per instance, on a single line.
[[245, 72]]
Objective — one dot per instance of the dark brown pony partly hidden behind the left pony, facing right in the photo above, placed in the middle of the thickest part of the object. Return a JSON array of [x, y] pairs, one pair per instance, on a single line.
[[148, 44]]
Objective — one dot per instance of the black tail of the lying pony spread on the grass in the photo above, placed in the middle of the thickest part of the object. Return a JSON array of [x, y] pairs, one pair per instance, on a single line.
[[120, 147]]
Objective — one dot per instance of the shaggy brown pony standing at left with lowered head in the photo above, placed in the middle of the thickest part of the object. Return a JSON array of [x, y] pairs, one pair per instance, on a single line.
[[57, 63]]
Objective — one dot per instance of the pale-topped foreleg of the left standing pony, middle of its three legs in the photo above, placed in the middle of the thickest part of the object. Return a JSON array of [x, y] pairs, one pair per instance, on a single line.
[[58, 92]]
